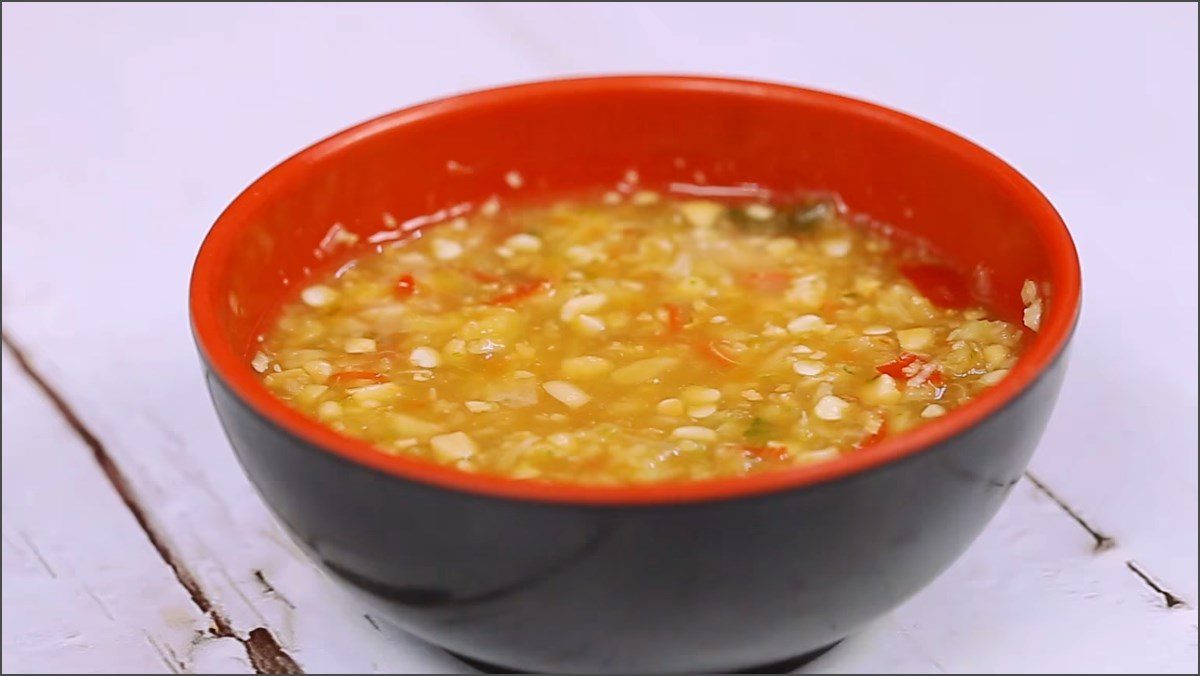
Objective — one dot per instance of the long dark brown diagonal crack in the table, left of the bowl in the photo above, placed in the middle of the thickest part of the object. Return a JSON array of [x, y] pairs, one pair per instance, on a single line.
[[266, 654]]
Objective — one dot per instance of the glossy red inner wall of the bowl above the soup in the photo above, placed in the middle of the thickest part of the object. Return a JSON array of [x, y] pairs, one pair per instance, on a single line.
[[579, 135]]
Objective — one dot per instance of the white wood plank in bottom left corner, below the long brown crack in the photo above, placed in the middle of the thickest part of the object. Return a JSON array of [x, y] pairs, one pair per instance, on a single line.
[[85, 589]]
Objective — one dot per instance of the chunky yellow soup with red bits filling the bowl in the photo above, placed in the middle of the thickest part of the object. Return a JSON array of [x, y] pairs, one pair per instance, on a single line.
[[634, 339]]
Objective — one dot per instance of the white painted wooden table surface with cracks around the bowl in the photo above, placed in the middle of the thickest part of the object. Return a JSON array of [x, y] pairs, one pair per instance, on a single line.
[[131, 539]]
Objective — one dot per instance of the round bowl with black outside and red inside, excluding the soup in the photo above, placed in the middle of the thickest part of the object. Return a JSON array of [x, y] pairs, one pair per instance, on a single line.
[[710, 576]]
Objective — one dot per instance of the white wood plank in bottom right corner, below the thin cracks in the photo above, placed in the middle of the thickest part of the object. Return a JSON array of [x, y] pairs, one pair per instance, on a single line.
[[1035, 595]]
